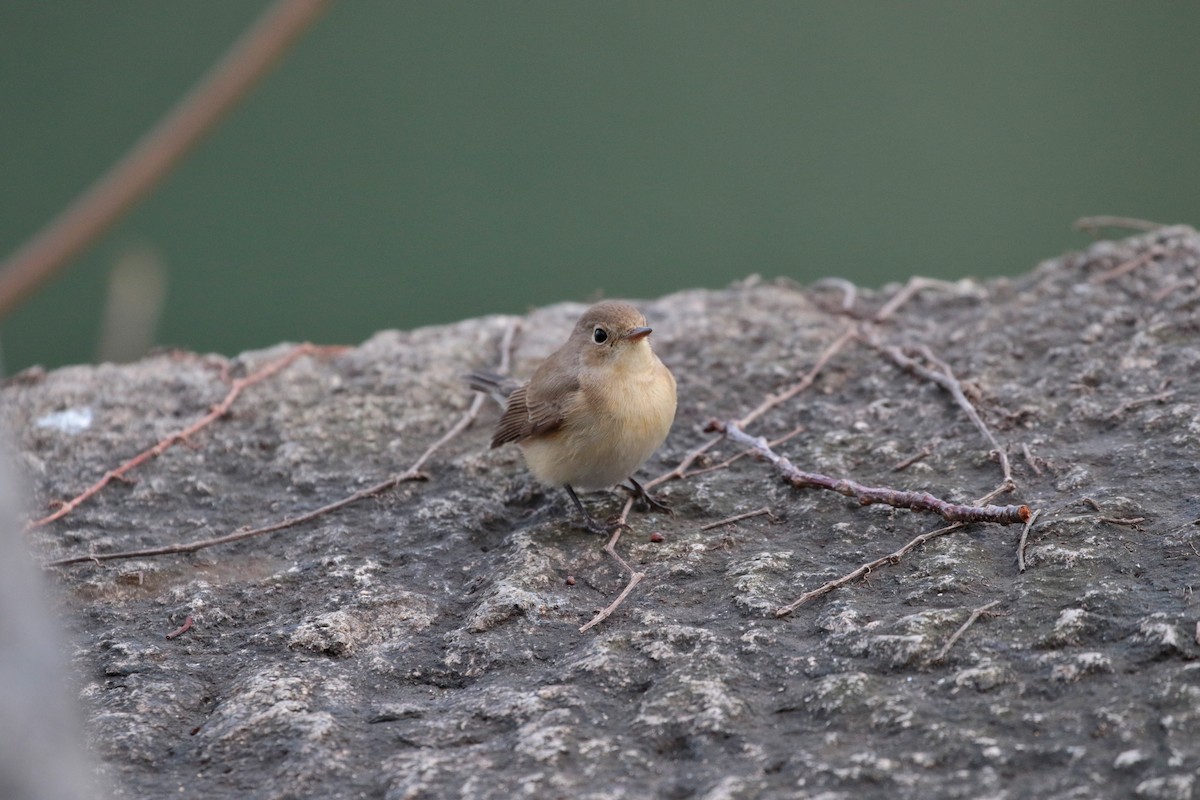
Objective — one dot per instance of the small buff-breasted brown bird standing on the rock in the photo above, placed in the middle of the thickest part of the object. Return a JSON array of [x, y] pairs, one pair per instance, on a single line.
[[595, 411]]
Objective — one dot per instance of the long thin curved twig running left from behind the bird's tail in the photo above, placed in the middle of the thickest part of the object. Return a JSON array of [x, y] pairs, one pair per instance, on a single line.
[[412, 474]]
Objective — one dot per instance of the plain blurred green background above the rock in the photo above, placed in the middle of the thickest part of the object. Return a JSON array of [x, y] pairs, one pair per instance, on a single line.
[[410, 164]]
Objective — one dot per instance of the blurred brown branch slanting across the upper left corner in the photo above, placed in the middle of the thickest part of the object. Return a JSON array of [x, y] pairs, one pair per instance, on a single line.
[[154, 157]]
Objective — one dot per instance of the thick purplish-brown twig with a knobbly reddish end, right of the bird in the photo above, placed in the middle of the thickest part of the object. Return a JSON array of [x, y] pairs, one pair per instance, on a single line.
[[868, 495]]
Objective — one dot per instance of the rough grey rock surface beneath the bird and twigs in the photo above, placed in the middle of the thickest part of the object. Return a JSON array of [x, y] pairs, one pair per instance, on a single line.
[[424, 643]]
